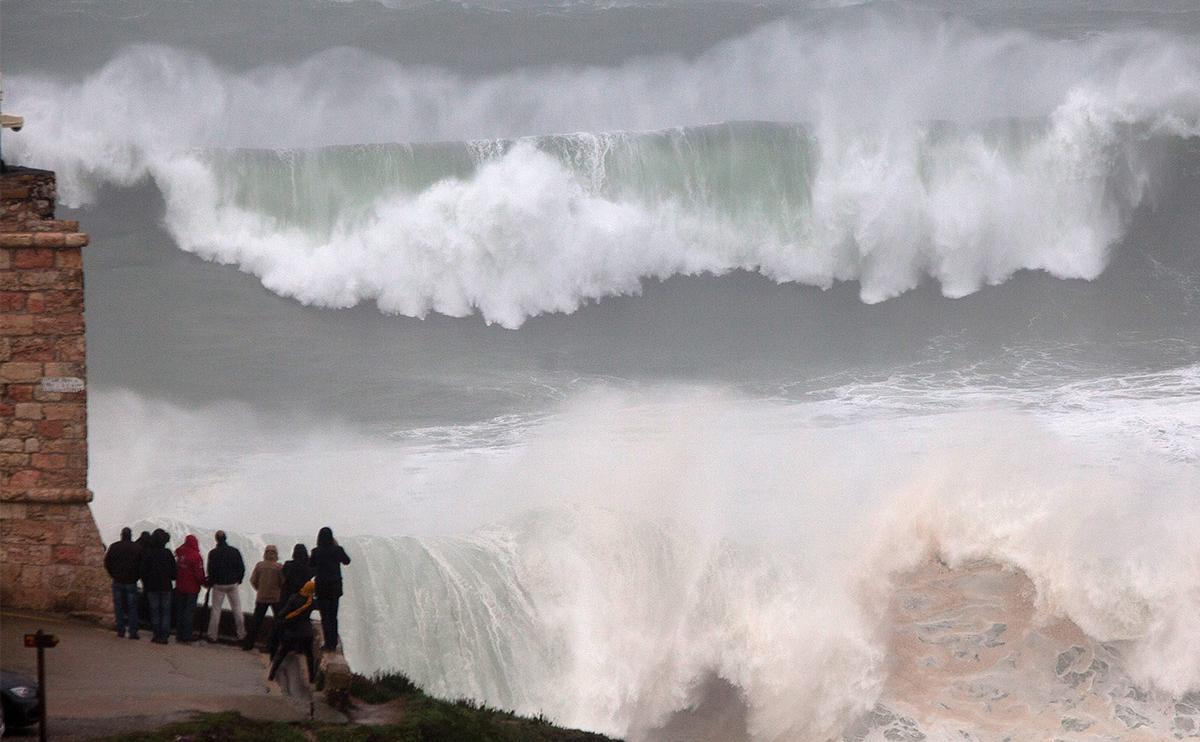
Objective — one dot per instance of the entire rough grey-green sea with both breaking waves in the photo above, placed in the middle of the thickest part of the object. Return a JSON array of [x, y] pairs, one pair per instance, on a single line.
[[651, 360]]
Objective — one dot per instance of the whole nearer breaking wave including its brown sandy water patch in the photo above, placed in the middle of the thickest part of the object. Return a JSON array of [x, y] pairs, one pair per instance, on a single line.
[[746, 570]]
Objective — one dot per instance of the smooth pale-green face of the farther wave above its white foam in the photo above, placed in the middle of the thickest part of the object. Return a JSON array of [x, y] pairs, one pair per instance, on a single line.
[[742, 172]]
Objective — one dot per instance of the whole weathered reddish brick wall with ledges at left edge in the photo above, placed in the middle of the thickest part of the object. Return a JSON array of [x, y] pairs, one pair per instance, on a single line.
[[51, 554]]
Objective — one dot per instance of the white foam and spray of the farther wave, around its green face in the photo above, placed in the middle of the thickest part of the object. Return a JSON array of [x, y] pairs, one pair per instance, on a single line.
[[889, 201]]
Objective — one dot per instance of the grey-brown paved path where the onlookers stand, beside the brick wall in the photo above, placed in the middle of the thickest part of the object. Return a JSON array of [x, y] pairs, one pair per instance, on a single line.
[[100, 685]]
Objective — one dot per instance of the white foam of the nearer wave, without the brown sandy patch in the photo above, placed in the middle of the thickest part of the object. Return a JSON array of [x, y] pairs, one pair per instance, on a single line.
[[634, 546]]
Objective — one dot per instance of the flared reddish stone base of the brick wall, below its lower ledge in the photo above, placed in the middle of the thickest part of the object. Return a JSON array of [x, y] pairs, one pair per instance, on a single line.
[[51, 560]]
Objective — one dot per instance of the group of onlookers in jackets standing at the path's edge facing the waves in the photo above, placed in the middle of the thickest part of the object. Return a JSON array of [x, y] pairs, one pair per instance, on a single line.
[[172, 585]]
